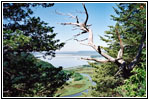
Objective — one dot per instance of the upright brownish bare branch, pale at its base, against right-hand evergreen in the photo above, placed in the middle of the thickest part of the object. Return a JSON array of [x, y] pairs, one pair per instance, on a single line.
[[120, 53]]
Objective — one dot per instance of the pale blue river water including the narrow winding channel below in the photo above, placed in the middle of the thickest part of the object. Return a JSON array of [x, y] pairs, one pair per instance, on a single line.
[[67, 60]]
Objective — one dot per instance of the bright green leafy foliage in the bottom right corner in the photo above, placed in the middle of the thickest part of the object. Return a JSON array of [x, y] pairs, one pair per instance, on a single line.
[[135, 86]]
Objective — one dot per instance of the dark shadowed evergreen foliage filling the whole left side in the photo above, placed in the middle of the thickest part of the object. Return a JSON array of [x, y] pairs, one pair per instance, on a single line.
[[23, 74]]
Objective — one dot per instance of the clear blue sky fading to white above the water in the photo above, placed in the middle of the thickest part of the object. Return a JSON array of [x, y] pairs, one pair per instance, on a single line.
[[99, 17]]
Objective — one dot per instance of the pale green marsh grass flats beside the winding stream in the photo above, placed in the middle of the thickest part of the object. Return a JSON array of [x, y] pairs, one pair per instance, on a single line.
[[74, 87]]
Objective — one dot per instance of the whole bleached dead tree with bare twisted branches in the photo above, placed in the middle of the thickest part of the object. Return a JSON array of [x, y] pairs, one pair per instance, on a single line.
[[119, 60]]
